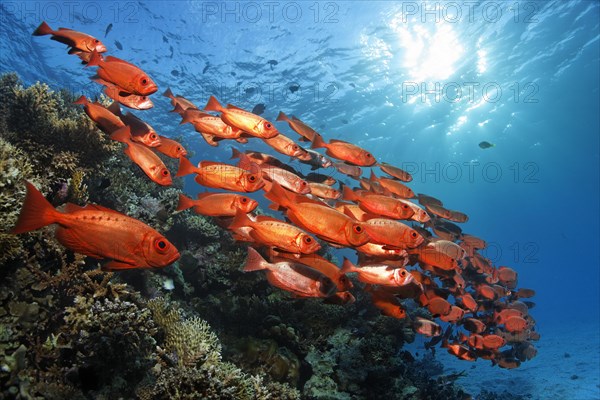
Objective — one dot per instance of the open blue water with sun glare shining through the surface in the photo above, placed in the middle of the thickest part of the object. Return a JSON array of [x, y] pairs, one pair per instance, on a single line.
[[521, 75]]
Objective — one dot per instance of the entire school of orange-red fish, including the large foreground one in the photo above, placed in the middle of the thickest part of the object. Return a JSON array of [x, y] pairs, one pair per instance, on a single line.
[[408, 251]]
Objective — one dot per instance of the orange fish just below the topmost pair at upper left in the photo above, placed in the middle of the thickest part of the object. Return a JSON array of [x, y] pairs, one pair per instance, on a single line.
[[126, 76]]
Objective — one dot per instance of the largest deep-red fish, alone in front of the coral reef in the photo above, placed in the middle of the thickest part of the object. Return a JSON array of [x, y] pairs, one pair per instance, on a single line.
[[98, 232]]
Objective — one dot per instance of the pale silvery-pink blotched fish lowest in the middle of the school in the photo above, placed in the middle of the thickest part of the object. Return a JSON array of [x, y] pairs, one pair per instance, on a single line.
[[296, 278]]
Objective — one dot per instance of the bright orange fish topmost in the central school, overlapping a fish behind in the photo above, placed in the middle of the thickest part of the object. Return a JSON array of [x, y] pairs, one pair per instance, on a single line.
[[242, 119]]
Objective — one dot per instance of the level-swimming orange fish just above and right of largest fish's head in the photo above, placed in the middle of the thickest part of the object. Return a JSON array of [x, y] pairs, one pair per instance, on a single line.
[[217, 204]]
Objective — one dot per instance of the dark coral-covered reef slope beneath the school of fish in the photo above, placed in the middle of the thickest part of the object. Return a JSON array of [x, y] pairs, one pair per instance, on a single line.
[[69, 330]]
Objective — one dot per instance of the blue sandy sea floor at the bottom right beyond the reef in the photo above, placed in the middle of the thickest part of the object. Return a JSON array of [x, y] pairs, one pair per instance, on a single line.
[[567, 367]]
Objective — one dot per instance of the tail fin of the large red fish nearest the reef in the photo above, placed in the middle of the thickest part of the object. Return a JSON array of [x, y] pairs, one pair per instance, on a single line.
[[36, 213]]
